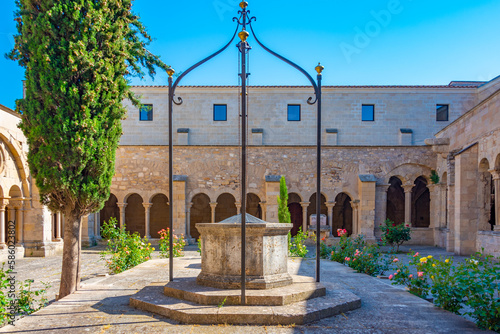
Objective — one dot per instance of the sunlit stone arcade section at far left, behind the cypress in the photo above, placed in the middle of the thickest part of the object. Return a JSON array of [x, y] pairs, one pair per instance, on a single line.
[[31, 227]]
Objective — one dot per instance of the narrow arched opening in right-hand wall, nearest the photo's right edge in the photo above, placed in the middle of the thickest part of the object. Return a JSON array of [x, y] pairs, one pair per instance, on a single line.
[[486, 196]]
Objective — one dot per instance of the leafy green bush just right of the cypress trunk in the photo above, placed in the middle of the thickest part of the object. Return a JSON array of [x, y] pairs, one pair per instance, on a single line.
[[124, 250]]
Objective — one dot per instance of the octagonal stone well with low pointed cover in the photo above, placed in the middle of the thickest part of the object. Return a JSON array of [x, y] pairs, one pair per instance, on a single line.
[[266, 254]]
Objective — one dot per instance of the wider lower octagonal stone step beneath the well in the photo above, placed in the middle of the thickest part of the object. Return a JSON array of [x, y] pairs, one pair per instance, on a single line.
[[336, 301]]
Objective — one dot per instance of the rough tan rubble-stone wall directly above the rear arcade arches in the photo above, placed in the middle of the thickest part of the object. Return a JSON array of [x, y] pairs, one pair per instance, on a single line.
[[214, 170]]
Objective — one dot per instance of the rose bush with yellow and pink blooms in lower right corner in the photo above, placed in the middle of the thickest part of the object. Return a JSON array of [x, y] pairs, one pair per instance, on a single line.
[[474, 283]]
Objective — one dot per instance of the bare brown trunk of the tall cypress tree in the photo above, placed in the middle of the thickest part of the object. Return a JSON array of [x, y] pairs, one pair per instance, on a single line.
[[70, 274]]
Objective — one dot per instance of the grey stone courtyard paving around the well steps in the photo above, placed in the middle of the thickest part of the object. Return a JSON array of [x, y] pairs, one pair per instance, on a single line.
[[102, 303]]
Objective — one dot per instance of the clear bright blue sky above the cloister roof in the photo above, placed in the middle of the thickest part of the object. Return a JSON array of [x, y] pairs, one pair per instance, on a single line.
[[366, 42]]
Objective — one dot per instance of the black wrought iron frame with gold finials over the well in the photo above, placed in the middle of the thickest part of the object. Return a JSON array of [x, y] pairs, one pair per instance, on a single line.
[[244, 21]]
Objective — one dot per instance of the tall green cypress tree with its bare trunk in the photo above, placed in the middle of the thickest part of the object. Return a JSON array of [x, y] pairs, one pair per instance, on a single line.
[[77, 55]]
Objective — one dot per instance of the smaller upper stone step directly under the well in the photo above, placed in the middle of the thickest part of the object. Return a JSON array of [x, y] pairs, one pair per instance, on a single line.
[[302, 288]]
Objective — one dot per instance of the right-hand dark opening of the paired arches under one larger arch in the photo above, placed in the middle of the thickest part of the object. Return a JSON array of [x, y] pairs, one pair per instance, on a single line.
[[421, 203]]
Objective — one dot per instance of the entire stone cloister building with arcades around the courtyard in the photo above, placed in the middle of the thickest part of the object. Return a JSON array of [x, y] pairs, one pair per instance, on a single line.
[[380, 144]]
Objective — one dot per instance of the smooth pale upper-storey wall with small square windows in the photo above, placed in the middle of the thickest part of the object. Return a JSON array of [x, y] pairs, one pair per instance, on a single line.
[[396, 108]]
